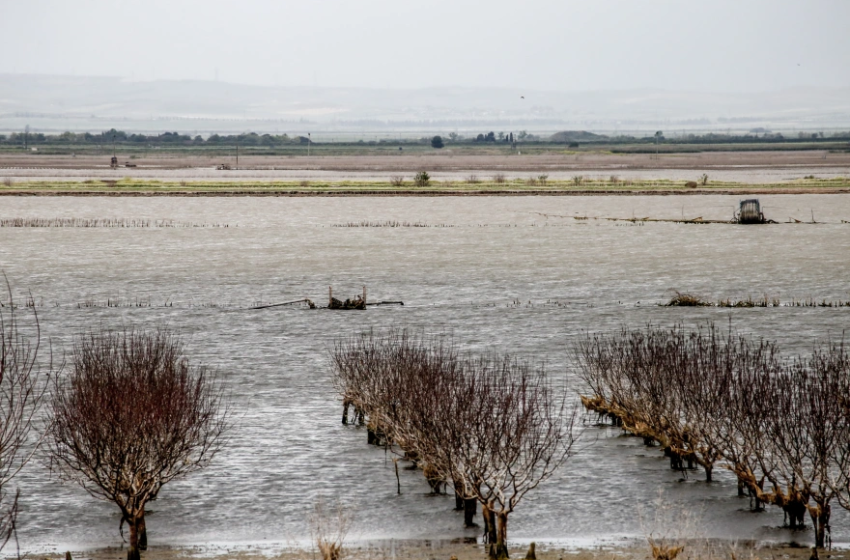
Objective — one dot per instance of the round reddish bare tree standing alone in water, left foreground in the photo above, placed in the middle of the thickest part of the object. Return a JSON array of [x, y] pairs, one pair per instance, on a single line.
[[133, 415]]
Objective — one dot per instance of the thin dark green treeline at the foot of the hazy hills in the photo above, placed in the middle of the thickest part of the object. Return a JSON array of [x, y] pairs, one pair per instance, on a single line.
[[570, 137]]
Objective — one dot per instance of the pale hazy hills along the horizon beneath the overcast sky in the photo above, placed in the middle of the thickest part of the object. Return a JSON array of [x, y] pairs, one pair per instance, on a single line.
[[54, 104]]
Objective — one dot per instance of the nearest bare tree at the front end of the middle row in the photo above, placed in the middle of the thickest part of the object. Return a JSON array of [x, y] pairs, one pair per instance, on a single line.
[[518, 431]]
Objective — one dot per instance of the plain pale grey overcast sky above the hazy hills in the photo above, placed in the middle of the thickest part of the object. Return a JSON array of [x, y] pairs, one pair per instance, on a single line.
[[569, 45]]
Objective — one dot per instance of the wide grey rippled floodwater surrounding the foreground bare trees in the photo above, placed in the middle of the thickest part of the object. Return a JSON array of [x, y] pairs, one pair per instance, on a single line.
[[509, 274]]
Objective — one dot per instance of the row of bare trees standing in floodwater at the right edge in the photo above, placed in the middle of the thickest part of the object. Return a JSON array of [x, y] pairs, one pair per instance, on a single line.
[[781, 426]]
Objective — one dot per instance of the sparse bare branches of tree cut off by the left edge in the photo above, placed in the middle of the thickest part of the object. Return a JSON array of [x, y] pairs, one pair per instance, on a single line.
[[21, 395]]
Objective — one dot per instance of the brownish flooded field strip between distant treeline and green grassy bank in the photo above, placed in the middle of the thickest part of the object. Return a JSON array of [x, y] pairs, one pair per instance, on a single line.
[[742, 166]]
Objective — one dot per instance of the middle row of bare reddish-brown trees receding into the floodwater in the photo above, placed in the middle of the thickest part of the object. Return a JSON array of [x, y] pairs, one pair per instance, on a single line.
[[490, 426]]
